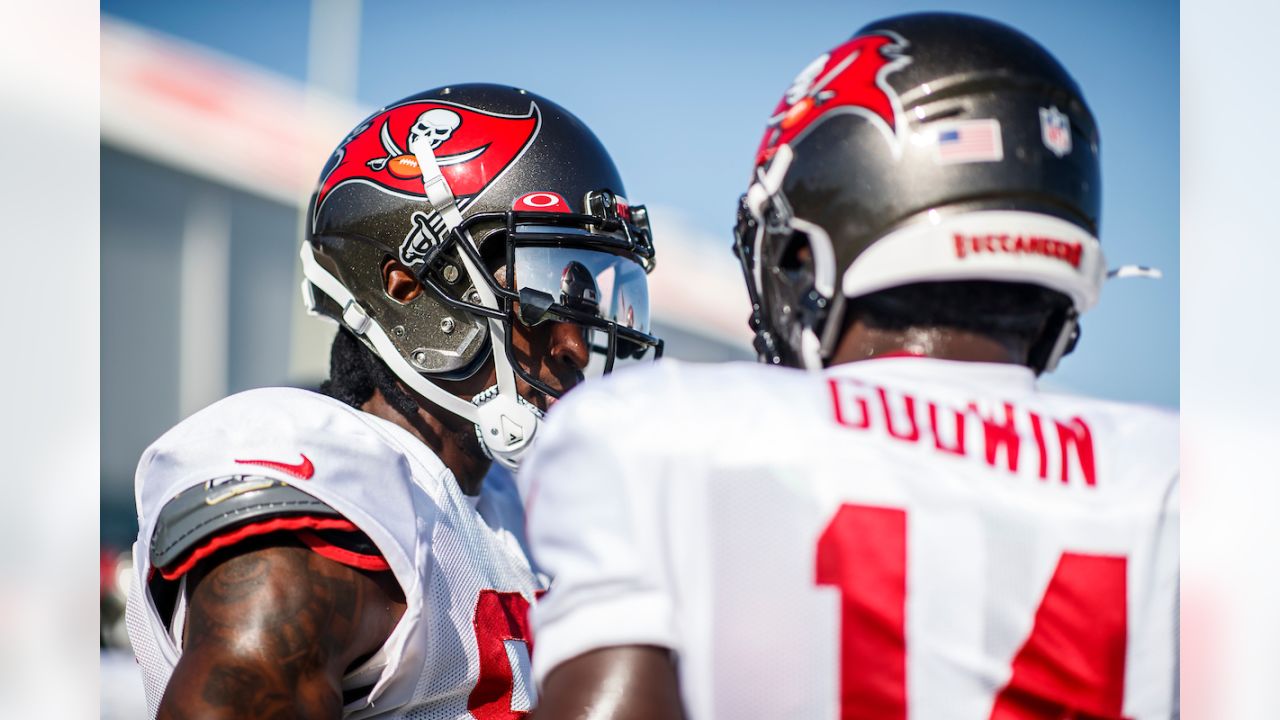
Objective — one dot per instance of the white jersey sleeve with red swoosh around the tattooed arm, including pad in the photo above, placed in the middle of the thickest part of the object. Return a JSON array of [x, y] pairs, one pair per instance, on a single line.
[[341, 482]]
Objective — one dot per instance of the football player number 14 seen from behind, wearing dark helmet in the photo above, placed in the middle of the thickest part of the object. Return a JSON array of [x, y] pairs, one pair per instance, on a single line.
[[888, 520]]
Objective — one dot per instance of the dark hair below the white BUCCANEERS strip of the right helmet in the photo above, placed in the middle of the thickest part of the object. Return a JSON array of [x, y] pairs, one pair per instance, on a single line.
[[1008, 313]]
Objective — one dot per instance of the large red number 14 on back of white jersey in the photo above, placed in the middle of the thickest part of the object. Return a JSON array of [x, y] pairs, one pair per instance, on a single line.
[[1072, 666]]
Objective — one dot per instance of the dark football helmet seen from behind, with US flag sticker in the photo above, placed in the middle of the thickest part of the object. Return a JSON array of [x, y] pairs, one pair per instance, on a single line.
[[927, 148]]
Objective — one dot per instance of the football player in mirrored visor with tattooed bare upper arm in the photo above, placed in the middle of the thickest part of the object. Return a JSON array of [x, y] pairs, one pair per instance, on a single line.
[[344, 554]]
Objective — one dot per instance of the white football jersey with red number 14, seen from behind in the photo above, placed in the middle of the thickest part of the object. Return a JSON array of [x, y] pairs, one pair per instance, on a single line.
[[898, 539]]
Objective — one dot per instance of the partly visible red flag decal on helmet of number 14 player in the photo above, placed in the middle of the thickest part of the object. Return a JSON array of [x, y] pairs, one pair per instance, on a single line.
[[852, 79]]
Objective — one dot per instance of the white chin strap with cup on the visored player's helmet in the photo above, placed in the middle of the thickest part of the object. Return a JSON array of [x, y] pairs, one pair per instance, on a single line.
[[505, 422]]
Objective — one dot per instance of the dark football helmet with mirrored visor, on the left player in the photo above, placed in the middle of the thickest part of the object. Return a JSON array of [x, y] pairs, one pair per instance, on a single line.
[[455, 184]]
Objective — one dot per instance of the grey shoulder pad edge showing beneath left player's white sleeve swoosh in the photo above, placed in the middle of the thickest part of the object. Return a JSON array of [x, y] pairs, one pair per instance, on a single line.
[[218, 505]]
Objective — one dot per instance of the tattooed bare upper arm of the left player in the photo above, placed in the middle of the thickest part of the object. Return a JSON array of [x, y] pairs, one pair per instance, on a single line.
[[271, 632]]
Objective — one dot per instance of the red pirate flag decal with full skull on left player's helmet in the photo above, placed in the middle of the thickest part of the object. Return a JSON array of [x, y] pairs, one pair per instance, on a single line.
[[472, 147]]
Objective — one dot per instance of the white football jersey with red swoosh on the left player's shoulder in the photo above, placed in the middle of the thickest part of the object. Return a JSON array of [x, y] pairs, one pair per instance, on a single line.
[[463, 648]]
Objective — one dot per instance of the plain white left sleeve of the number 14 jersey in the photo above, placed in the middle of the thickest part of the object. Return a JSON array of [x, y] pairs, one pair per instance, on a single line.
[[595, 500]]
